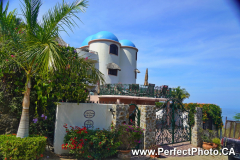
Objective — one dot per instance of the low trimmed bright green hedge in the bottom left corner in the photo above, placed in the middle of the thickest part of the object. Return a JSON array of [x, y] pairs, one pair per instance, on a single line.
[[12, 147]]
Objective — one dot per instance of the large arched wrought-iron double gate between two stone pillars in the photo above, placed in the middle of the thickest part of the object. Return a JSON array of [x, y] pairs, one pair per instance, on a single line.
[[172, 124]]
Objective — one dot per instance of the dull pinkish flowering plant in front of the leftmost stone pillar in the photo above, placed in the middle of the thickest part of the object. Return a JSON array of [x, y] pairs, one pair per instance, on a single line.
[[130, 136]]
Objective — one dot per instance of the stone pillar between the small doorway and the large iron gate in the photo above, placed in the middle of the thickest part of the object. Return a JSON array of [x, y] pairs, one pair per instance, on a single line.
[[148, 123]]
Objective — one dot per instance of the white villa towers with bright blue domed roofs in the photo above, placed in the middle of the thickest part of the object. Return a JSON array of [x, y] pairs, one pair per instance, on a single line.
[[117, 60]]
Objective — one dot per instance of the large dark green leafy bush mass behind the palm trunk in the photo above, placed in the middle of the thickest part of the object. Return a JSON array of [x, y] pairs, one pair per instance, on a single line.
[[67, 85]]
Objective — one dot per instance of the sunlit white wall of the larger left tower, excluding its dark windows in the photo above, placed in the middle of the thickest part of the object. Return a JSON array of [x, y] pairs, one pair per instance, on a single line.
[[102, 47]]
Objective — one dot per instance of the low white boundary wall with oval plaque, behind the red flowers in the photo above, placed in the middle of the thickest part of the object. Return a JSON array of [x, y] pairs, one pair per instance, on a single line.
[[73, 115]]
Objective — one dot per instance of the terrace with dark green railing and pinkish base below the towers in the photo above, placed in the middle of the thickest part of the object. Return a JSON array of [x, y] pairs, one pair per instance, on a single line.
[[131, 93]]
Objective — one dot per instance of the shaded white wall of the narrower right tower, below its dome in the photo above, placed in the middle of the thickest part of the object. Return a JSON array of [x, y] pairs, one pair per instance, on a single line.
[[128, 65]]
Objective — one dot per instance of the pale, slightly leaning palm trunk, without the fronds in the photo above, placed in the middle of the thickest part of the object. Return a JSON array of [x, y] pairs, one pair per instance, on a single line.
[[23, 128]]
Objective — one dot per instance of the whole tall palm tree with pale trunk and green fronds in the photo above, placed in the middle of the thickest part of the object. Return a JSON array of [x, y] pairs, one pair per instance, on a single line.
[[40, 53]]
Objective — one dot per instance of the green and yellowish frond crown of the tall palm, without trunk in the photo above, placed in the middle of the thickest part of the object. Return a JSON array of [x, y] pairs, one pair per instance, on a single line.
[[41, 38]]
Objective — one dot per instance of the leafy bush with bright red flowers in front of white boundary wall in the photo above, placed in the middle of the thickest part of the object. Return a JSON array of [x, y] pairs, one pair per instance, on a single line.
[[91, 144]]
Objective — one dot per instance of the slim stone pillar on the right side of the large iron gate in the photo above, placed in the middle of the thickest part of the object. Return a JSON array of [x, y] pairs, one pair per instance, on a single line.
[[196, 135]]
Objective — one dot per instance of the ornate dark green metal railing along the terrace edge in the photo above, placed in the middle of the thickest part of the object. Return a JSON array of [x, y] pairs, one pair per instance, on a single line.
[[136, 90]]
